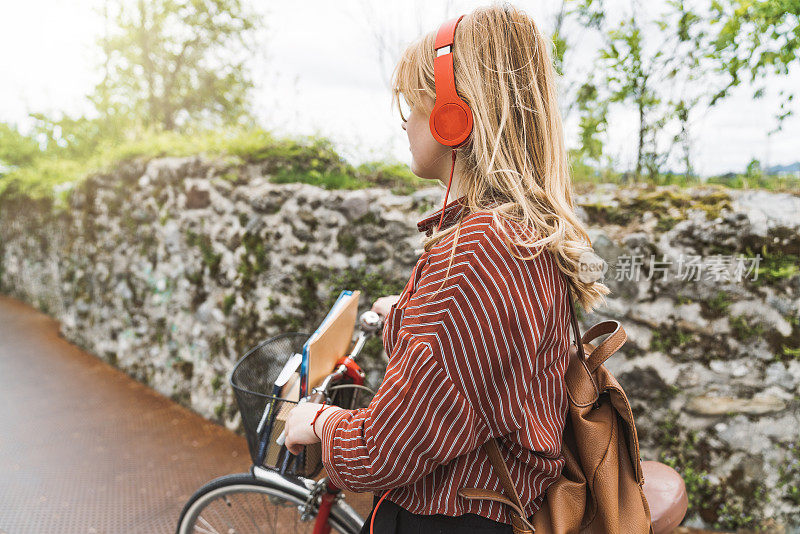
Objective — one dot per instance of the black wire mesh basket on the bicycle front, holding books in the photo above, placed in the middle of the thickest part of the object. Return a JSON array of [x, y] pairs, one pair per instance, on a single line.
[[252, 380]]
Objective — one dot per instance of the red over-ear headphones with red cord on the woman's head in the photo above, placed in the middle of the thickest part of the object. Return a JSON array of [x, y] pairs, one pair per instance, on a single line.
[[451, 117]]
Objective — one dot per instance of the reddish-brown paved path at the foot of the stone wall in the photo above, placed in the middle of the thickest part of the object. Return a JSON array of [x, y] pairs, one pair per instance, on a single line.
[[86, 449]]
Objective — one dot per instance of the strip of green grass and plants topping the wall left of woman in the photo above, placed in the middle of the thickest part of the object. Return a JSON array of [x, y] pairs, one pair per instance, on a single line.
[[306, 159]]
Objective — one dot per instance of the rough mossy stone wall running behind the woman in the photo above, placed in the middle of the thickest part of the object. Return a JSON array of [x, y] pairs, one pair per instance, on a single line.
[[172, 268]]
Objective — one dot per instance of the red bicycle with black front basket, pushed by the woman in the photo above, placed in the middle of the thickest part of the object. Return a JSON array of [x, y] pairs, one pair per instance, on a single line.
[[271, 498]]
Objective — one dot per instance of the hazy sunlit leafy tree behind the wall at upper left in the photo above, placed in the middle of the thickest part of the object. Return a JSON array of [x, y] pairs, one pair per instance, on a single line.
[[172, 64]]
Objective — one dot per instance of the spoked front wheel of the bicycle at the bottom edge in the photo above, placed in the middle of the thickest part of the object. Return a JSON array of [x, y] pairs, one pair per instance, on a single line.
[[243, 503]]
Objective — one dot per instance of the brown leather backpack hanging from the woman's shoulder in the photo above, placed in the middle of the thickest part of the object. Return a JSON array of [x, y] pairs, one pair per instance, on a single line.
[[600, 487]]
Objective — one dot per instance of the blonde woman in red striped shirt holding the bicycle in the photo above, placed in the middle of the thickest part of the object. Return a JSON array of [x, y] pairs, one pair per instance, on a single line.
[[478, 339]]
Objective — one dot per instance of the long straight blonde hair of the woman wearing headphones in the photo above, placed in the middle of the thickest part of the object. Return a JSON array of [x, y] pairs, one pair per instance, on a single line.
[[516, 156]]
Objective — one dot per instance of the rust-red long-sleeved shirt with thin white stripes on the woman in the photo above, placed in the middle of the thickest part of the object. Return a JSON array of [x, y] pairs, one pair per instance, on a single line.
[[483, 358]]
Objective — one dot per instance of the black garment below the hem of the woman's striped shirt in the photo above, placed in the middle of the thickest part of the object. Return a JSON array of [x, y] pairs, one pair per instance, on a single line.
[[392, 519]]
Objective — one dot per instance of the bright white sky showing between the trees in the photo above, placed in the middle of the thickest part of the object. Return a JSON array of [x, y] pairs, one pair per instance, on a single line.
[[320, 71]]
